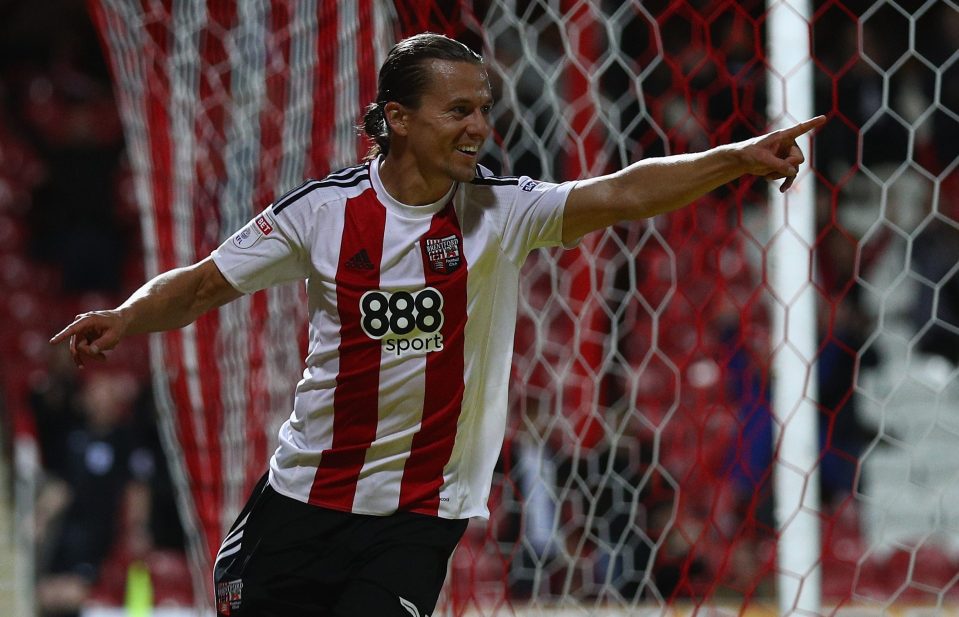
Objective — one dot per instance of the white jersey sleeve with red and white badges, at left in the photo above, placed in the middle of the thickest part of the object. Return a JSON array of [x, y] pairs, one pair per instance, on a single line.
[[266, 251]]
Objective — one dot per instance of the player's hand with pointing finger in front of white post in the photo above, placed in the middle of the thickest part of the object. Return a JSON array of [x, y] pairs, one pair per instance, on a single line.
[[776, 155]]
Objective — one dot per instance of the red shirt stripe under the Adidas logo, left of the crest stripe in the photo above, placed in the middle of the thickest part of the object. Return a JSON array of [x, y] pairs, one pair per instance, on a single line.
[[356, 395]]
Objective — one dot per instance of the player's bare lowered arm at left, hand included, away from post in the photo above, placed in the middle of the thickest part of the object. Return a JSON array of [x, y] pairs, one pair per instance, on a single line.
[[170, 300]]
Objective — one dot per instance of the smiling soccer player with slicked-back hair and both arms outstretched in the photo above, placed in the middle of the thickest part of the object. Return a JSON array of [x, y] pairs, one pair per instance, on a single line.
[[411, 261]]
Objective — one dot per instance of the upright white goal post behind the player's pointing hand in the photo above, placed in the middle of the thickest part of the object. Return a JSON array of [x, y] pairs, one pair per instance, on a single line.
[[792, 231]]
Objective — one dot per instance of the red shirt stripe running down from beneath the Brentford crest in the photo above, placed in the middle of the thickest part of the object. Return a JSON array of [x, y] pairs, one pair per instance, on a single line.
[[443, 401]]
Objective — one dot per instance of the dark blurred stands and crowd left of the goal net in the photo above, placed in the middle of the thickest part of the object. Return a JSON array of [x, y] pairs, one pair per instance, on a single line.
[[103, 499]]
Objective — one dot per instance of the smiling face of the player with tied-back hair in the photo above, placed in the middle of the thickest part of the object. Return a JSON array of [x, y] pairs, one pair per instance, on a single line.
[[451, 124]]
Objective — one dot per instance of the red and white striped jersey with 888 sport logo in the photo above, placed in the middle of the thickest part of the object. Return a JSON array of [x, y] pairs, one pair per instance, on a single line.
[[403, 401]]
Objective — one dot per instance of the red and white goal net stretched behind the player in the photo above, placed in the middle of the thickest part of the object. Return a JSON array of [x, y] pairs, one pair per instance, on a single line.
[[641, 455]]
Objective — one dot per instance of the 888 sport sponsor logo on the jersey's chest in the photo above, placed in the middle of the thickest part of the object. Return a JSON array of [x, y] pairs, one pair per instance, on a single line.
[[406, 321]]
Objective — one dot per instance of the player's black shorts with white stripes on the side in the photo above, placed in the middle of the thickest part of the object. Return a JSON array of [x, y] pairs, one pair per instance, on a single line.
[[284, 557]]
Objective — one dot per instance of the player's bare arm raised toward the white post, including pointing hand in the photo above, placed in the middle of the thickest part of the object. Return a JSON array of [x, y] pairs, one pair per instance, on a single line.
[[657, 185]]
